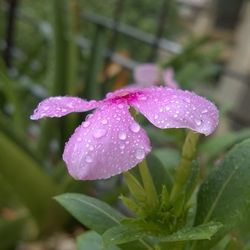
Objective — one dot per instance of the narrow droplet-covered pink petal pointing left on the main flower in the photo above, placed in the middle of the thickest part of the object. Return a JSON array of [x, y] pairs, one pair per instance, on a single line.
[[60, 106]]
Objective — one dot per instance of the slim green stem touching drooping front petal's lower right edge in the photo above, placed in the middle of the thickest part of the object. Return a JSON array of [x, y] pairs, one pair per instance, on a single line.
[[148, 184]]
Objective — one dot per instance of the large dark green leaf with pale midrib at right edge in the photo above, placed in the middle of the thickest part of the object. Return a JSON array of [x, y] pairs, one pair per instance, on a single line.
[[225, 194]]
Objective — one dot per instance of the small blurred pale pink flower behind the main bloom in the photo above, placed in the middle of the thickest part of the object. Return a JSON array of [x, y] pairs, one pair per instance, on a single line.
[[149, 74]]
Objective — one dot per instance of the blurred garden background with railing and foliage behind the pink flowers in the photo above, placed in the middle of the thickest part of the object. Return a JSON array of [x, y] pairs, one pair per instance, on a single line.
[[87, 48]]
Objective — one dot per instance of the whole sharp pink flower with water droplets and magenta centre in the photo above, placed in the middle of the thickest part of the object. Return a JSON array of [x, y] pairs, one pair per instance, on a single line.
[[110, 141]]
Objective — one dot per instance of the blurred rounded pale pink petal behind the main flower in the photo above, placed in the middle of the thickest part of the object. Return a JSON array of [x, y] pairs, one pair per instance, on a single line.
[[147, 74]]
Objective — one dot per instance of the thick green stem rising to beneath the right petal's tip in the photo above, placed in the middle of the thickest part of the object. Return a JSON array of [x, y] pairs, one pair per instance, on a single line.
[[183, 171]]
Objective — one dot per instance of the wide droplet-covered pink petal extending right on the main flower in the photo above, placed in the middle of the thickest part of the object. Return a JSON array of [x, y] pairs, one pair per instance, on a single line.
[[175, 108]]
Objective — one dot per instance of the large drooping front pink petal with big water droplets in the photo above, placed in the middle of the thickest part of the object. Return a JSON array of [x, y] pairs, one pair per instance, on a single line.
[[107, 143]]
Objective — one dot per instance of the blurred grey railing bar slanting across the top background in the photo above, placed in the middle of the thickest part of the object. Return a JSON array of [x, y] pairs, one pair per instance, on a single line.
[[132, 32]]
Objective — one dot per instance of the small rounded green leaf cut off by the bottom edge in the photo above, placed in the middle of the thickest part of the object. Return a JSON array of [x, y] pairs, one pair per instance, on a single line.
[[92, 240]]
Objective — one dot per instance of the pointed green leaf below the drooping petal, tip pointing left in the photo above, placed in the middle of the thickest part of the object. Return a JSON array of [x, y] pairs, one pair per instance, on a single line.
[[91, 212]]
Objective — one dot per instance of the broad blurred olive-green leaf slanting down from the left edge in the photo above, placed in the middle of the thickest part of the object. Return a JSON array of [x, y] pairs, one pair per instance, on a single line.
[[22, 172]]
